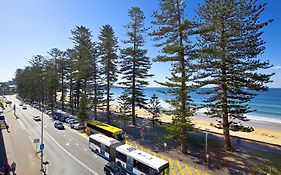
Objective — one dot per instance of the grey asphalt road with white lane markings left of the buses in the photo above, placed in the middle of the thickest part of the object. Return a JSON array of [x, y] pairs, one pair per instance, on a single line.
[[66, 150]]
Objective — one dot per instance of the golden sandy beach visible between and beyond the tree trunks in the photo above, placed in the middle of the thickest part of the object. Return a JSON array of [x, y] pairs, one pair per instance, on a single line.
[[267, 132]]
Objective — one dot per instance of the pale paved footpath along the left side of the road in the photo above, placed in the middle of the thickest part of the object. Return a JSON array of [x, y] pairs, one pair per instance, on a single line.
[[16, 146]]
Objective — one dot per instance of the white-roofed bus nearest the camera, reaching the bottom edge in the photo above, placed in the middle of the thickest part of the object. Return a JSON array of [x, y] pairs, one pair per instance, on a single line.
[[137, 162]]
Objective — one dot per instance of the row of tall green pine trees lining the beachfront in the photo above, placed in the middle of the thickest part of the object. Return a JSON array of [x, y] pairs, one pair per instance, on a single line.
[[218, 49]]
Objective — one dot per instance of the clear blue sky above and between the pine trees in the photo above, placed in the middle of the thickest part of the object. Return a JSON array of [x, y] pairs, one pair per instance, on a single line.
[[32, 27]]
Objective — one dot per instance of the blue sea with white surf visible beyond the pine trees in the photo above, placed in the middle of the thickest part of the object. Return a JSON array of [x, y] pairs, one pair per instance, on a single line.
[[267, 104]]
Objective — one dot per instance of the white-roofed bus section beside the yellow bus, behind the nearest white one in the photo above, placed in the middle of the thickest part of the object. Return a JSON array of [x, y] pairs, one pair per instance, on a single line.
[[104, 146]]
